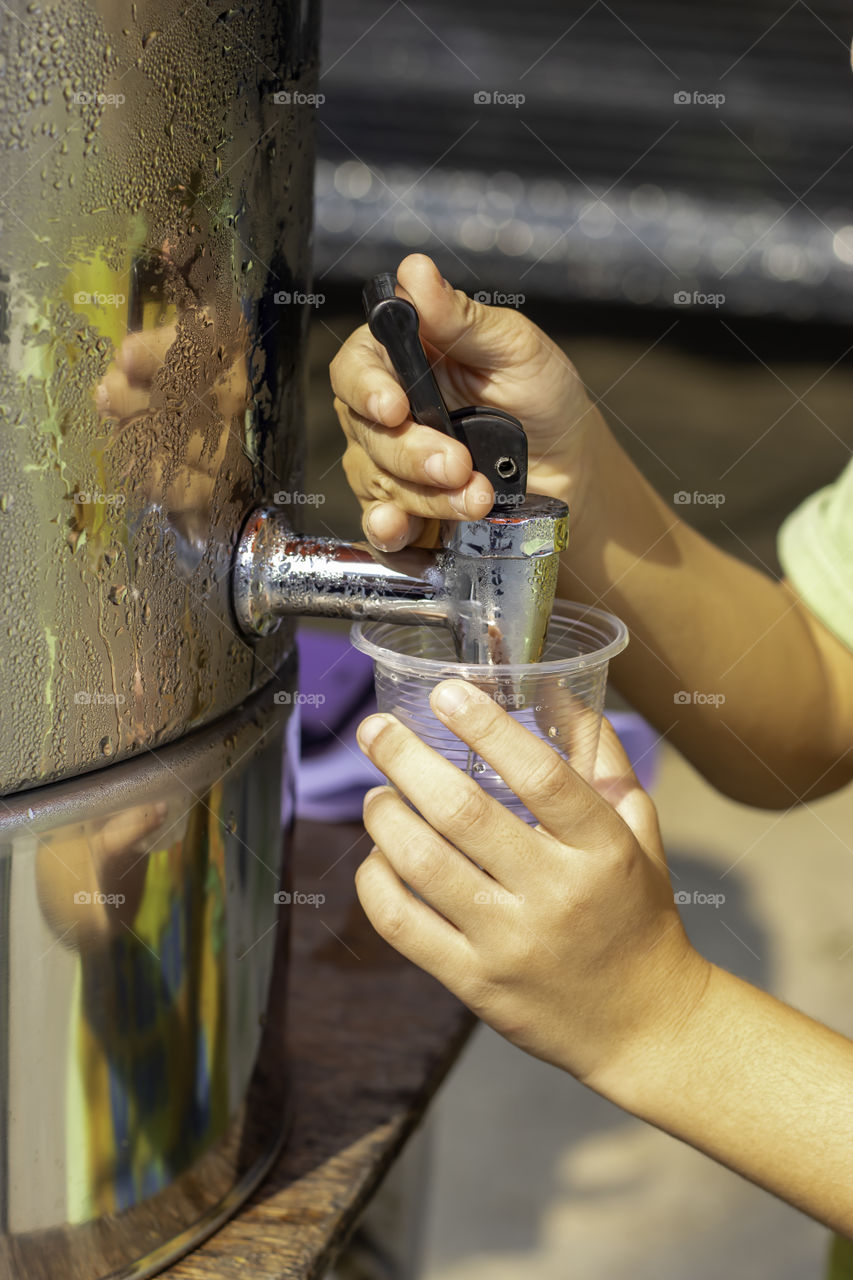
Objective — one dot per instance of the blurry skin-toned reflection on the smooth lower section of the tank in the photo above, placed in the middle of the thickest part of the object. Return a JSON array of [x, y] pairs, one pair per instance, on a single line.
[[90, 877]]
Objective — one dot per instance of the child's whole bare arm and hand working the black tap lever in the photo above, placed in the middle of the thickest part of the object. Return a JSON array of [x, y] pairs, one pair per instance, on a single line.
[[763, 738]]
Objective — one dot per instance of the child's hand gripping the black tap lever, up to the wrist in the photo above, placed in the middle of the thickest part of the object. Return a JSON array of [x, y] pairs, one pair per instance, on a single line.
[[405, 474]]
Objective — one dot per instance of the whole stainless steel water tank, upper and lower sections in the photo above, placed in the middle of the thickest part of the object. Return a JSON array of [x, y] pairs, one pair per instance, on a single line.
[[156, 203]]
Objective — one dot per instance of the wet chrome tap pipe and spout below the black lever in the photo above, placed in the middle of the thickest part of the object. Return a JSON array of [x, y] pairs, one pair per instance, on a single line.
[[492, 583]]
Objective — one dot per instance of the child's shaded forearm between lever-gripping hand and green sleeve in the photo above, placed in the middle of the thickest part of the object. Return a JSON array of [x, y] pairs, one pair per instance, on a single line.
[[767, 697]]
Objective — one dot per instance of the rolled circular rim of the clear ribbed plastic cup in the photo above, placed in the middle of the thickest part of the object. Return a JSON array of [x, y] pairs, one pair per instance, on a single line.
[[565, 612]]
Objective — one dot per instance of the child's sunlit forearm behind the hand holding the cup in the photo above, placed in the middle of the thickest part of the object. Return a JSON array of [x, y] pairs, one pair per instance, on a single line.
[[761, 1089]]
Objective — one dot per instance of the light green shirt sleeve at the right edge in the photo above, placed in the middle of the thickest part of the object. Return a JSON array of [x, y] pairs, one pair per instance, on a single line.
[[816, 552]]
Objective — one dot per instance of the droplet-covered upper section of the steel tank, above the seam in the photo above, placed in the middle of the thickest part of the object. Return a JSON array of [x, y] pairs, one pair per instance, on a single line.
[[157, 179]]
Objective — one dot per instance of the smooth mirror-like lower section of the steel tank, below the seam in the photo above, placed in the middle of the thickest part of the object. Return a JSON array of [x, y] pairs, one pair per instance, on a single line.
[[144, 1089]]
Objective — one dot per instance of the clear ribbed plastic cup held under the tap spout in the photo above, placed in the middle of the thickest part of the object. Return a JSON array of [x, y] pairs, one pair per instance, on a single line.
[[560, 698]]
